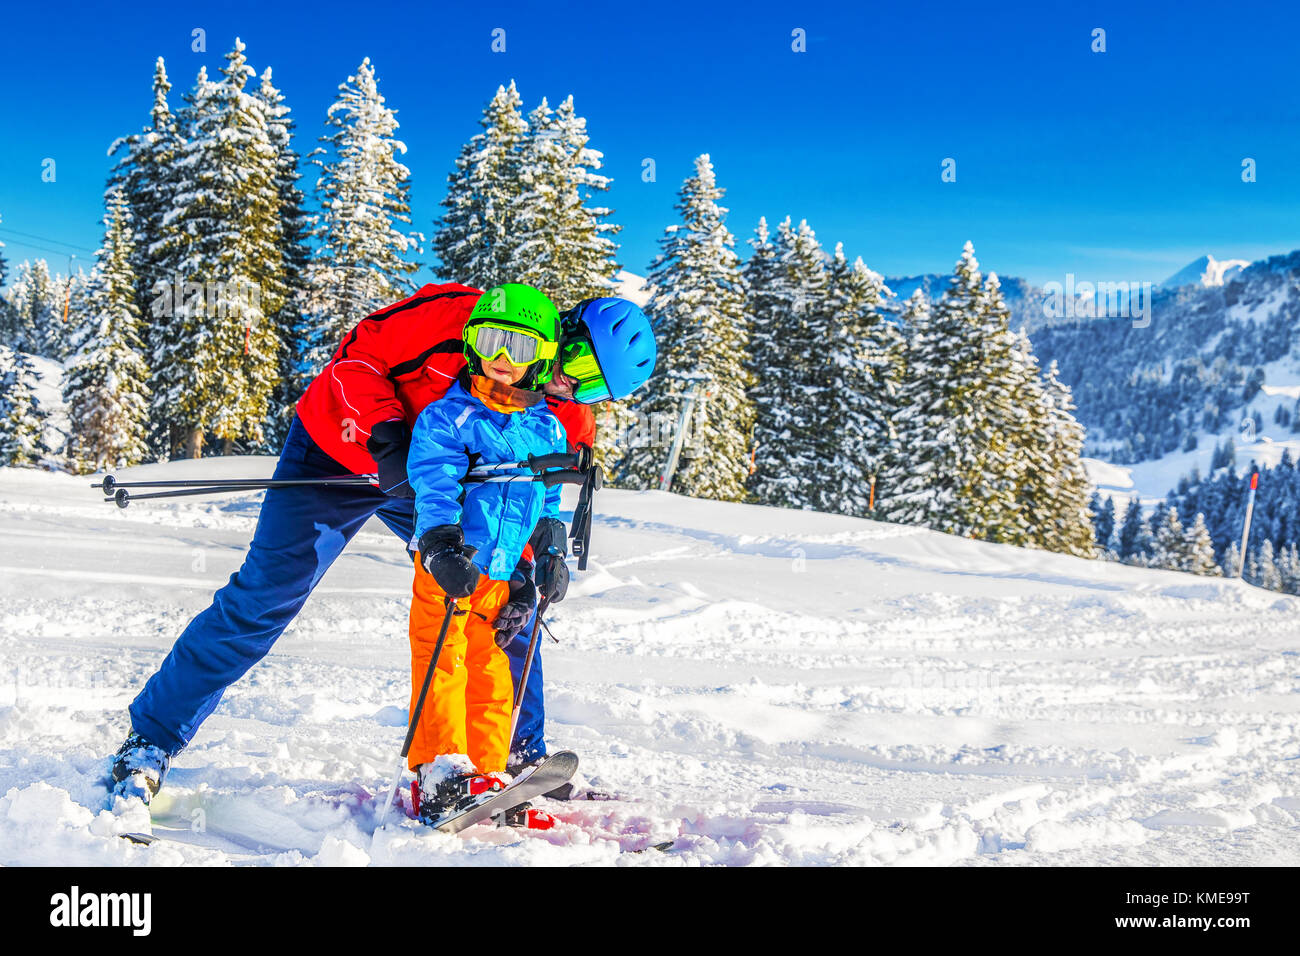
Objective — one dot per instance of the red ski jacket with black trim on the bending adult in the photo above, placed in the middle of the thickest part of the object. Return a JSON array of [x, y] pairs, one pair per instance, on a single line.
[[392, 366]]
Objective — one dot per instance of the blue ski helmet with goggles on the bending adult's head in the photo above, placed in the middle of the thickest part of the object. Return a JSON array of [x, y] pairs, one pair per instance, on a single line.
[[609, 347]]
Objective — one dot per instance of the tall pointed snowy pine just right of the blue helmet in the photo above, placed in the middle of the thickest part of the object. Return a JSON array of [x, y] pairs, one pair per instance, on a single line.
[[699, 310]]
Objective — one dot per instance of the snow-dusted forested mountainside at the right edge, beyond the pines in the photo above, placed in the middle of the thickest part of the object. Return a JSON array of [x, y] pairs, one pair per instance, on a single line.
[[1208, 361]]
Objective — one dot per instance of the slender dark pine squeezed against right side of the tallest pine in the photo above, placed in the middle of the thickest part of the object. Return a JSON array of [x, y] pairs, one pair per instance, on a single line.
[[291, 319]]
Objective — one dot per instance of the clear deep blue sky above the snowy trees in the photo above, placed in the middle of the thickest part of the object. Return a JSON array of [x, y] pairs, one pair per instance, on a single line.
[[1117, 166]]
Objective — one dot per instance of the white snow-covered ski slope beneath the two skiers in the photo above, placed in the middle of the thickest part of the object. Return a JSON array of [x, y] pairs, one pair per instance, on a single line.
[[757, 686]]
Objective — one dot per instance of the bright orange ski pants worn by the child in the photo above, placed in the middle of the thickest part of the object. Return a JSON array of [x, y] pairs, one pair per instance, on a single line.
[[470, 702]]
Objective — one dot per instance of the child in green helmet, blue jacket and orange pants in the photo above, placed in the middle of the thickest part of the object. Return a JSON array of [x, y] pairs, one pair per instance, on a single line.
[[493, 413]]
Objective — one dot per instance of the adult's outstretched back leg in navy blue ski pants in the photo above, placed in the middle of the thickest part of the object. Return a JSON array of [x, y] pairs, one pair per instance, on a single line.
[[301, 531]]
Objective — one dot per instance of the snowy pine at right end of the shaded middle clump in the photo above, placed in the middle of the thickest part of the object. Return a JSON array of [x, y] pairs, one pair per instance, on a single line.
[[863, 373]]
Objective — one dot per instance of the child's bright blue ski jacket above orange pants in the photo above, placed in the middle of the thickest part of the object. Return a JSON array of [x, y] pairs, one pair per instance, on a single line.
[[454, 434]]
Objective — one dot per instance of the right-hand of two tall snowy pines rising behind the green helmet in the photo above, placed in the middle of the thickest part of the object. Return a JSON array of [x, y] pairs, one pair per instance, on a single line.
[[561, 243]]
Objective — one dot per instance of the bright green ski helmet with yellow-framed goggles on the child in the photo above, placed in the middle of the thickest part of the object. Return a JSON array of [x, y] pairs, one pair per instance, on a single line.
[[521, 322]]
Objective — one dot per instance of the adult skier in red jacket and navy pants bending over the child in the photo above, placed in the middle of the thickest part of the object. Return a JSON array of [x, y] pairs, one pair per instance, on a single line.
[[356, 418]]
